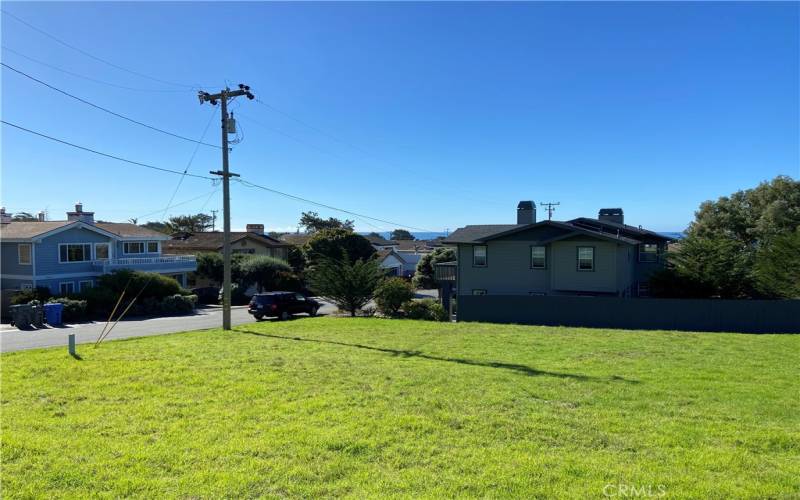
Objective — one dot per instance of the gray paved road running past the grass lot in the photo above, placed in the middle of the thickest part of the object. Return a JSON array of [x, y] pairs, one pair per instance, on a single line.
[[12, 339]]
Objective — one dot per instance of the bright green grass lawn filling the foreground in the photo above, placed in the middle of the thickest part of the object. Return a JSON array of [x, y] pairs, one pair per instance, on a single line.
[[371, 407]]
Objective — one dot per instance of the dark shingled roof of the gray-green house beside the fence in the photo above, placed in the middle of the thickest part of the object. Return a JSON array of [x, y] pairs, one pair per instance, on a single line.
[[483, 233]]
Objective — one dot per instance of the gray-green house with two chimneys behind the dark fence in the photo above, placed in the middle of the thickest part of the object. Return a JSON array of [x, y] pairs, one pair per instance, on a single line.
[[584, 256]]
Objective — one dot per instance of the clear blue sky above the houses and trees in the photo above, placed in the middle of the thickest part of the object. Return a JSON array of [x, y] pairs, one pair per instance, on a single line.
[[433, 115]]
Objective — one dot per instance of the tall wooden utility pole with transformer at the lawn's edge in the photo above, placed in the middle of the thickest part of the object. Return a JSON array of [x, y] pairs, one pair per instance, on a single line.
[[222, 97]]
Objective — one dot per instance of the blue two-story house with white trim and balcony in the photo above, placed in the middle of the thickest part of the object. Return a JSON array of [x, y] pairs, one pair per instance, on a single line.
[[67, 256]]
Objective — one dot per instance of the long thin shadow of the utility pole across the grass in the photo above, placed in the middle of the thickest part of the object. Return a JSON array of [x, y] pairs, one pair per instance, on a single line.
[[522, 369]]
